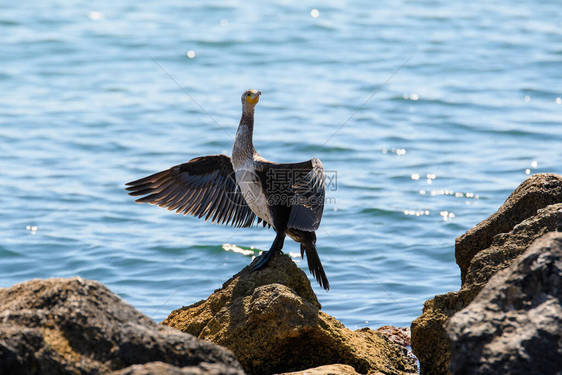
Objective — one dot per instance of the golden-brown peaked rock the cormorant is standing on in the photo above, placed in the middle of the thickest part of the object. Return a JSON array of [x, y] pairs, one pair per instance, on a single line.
[[272, 321]]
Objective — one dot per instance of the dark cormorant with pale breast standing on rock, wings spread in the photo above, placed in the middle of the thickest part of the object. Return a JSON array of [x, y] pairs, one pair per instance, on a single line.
[[245, 189]]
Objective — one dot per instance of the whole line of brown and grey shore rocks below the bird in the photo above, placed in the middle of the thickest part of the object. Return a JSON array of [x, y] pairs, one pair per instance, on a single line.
[[505, 319]]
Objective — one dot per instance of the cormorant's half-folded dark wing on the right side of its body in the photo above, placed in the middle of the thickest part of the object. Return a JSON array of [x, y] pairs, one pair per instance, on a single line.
[[307, 190]]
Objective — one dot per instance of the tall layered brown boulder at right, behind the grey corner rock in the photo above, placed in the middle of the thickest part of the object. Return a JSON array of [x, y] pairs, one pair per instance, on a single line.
[[510, 238]]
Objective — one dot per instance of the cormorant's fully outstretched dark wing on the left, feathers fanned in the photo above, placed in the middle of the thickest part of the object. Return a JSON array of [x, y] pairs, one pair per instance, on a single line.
[[202, 187]]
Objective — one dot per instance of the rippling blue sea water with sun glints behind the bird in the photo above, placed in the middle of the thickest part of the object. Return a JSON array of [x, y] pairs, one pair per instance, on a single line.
[[429, 112]]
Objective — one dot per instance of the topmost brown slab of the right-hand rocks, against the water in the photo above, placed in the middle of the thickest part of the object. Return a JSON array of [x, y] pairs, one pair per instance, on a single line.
[[536, 192]]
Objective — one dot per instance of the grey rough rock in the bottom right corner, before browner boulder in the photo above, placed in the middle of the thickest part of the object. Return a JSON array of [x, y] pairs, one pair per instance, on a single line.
[[514, 325]]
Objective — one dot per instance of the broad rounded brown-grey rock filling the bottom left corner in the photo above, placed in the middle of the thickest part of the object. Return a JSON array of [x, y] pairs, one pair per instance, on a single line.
[[69, 326]]
